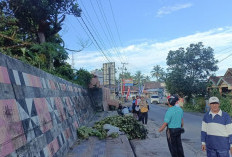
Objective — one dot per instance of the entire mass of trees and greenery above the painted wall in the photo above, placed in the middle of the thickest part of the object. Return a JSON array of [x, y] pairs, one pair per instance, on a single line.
[[29, 32]]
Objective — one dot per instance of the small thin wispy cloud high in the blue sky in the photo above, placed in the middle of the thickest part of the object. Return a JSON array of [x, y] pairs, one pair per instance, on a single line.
[[170, 9]]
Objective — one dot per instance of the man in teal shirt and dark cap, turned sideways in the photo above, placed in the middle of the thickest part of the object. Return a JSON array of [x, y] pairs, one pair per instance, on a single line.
[[174, 121]]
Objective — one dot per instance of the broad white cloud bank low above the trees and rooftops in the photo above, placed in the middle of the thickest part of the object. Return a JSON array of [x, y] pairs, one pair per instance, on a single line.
[[144, 56]]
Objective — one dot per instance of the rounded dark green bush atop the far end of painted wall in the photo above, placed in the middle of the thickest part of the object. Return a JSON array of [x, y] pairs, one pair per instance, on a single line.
[[83, 77]]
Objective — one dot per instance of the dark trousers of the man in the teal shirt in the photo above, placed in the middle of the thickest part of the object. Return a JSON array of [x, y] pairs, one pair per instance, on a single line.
[[174, 142]]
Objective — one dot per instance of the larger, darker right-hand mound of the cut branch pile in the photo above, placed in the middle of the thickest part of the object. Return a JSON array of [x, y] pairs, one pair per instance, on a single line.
[[127, 124]]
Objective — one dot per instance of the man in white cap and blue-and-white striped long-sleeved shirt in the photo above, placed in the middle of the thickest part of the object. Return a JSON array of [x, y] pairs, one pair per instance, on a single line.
[[216, 132]]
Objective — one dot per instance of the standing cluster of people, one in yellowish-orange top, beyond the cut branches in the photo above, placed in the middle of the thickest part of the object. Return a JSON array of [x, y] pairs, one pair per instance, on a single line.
[[140, 108]]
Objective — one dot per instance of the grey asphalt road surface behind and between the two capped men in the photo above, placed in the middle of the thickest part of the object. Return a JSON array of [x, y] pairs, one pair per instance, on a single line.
[[192, 124]]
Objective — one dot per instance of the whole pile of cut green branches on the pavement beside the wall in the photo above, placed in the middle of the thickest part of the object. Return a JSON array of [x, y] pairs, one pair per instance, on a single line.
[[126, 124]]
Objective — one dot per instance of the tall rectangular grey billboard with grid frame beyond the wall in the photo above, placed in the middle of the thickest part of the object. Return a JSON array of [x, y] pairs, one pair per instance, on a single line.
[[109, 74]]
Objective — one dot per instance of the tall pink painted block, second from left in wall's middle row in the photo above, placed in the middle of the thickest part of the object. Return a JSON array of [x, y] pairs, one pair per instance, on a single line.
[[43, 114]]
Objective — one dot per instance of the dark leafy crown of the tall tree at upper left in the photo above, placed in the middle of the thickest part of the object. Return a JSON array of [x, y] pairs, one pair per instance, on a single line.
[[40, 19]]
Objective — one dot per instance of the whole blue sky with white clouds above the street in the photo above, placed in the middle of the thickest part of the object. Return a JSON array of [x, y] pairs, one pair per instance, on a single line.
[[142, 32]]
